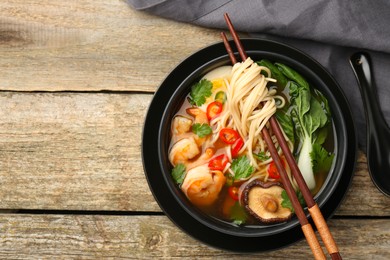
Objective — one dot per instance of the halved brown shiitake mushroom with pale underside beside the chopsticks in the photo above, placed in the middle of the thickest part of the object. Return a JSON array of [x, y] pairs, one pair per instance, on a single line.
[[263, 200]]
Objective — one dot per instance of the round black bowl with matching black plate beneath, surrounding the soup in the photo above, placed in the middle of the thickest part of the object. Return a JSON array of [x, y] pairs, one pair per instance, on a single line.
[[173, 202]]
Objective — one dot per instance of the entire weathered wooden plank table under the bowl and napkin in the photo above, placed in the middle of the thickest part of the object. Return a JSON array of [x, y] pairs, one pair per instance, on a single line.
[[76, 79]]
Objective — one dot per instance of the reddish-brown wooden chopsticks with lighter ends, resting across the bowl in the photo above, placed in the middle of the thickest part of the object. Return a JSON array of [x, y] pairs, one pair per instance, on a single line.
[[314, 210]]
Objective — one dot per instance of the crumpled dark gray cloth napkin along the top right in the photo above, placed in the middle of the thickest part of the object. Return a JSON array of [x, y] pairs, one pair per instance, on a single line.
[[328, 30]]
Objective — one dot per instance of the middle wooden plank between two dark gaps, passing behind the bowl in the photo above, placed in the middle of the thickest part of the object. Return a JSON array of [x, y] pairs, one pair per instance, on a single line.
[[82, 151]]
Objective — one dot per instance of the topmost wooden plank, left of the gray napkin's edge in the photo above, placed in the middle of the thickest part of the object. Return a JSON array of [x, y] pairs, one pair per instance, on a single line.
[[90, 46]]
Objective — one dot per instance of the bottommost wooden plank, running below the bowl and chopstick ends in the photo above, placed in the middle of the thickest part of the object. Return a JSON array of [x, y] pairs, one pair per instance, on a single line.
[[146, 237]]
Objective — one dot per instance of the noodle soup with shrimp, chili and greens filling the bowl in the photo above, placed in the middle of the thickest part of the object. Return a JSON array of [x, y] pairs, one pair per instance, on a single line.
[[219, 158]]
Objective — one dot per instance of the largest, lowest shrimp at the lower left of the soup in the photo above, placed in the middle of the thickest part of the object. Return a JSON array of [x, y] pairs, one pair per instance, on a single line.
[[202, 186]]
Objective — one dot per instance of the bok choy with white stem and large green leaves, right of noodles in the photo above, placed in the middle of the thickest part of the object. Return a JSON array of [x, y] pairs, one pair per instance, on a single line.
[[306, 121]]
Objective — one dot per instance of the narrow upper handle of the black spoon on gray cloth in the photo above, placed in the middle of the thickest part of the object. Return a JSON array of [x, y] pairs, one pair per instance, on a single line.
[[361, 64]]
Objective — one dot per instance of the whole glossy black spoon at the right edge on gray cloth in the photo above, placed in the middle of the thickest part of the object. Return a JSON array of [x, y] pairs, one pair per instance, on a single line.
[[378, 132]]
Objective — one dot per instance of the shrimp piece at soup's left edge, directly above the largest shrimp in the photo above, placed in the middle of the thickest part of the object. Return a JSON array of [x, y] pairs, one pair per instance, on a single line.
[[183, 150]]
